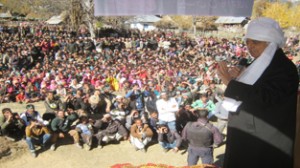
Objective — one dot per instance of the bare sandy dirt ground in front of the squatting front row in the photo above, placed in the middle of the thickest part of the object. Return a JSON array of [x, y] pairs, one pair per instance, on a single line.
[[16, 154]]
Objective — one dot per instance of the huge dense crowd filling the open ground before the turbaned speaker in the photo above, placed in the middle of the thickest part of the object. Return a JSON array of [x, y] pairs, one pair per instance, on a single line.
[[151, 86]]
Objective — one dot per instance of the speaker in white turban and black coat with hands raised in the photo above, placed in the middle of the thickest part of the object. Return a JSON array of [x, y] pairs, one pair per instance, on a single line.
[[262, 100]]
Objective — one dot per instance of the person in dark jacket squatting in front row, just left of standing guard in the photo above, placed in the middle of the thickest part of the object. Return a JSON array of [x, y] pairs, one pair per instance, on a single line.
[[168, 139]]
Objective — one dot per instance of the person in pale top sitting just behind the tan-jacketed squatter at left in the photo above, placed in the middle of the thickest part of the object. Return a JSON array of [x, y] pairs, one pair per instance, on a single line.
[[31, 114]]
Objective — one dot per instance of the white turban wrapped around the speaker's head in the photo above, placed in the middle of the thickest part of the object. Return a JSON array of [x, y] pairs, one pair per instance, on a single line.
[[265, 29]]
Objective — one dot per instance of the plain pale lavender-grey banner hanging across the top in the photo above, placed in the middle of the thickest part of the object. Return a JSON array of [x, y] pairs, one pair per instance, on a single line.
[[173, 7]]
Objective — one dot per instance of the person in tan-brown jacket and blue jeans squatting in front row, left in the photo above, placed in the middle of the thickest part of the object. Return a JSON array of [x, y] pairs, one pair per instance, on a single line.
[[36, 134]]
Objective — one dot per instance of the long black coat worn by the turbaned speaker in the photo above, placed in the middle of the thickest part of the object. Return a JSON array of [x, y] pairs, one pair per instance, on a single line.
[[262, 131]]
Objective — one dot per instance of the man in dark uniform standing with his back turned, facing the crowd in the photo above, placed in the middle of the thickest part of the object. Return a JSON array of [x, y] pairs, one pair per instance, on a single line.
[[201, 137]]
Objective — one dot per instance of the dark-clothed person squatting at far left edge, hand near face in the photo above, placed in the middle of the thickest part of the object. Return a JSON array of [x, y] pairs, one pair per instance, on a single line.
[[11, 125]]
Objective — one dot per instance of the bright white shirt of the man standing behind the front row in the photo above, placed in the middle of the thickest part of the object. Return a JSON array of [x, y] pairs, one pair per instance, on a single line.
[[167, 109]]
